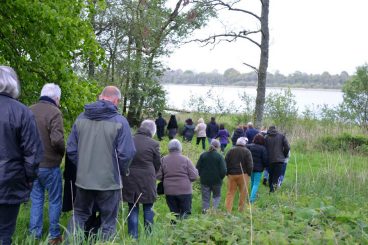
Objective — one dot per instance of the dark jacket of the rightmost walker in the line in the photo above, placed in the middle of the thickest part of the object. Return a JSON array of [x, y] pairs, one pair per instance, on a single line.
[[277, 146]]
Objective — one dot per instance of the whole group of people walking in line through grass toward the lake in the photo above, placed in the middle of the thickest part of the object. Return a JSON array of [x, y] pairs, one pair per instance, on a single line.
[[107, 164]]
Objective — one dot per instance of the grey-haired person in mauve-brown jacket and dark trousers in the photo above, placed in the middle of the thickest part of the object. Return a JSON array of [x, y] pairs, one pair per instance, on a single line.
[[177, 173]]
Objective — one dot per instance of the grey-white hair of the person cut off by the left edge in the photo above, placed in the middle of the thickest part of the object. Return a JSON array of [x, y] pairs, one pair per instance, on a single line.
[[9, 82]]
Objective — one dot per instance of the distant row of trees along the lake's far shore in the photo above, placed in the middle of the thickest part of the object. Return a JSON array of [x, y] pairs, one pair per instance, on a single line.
[[234, 78]]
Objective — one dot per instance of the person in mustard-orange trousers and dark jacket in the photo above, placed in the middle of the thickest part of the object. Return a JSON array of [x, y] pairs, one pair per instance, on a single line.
[[239, 164]]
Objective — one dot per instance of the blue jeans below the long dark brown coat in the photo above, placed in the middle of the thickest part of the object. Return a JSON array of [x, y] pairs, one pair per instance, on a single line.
[[148, 215]]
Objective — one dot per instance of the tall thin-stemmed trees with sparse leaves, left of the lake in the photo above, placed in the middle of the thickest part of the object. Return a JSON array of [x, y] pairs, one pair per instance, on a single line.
[[134, 35]]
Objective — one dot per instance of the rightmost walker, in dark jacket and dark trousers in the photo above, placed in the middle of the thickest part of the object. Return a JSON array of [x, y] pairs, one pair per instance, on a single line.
[[277, 149]]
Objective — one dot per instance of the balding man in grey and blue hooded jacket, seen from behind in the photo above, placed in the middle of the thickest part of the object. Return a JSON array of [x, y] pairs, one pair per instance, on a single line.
[[101, 146]]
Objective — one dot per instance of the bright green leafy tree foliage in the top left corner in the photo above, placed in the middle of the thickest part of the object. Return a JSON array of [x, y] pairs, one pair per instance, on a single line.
[[40, 39]]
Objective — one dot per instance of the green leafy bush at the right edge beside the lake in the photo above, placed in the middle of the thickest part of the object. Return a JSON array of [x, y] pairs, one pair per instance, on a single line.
[[356, 96]]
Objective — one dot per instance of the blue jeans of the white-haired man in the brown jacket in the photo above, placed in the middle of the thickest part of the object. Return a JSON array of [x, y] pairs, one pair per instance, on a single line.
[[48, 179]]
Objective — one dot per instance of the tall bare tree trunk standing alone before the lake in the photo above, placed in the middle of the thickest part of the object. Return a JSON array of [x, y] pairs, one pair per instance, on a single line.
[[263, 65]]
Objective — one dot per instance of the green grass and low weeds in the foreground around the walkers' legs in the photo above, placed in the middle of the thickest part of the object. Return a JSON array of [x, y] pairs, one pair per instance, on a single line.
[[323, 200]]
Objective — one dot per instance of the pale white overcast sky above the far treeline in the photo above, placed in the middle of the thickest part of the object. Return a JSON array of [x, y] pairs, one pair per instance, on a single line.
[[311, 36]]
